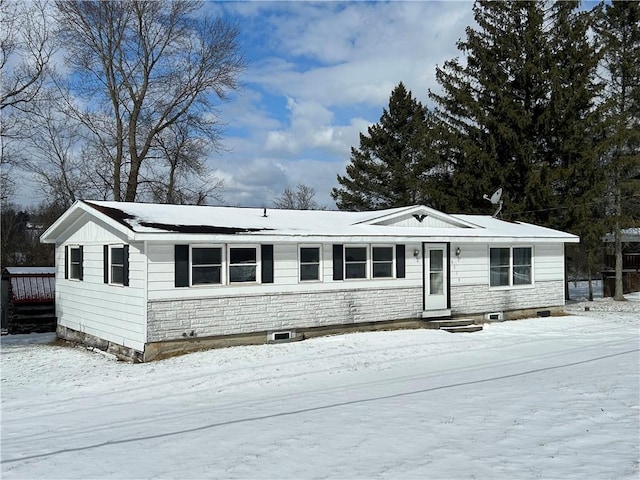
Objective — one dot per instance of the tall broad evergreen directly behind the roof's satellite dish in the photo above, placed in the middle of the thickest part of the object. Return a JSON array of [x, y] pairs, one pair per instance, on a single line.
[[491, 108]]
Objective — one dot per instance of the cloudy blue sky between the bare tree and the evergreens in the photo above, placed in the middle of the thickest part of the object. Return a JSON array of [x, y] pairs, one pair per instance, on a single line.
[[319, 74]]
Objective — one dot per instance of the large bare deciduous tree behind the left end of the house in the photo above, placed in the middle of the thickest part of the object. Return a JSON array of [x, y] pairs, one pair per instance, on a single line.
[[143, 67]]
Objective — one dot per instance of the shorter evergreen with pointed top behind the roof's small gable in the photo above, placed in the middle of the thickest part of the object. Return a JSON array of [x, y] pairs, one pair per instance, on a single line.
[[390, 167]]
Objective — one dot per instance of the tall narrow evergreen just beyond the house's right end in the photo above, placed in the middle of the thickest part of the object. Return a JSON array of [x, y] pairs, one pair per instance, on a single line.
[[572, 130]]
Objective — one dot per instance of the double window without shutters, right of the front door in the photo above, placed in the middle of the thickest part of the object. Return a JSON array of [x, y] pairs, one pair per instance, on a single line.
[[510, 266]]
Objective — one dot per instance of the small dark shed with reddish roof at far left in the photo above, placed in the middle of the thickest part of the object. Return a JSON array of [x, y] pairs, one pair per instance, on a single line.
[[27, 300]]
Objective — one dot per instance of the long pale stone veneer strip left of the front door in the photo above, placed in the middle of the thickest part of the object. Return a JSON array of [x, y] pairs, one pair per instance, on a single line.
[[204, 317]]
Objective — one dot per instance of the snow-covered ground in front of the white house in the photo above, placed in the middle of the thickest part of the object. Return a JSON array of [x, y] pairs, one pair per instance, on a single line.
[[549, 398]]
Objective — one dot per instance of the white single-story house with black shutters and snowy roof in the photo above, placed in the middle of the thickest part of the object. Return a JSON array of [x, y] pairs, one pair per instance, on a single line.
[[148, 280]]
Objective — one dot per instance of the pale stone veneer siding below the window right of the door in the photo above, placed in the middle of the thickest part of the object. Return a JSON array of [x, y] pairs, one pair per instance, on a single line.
[[476, 299]]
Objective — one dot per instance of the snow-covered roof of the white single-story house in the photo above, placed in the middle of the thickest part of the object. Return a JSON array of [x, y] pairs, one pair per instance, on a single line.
[[145, 221]]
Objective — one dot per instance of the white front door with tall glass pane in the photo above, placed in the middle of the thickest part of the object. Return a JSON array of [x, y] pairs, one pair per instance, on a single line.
[[436, 281]]
